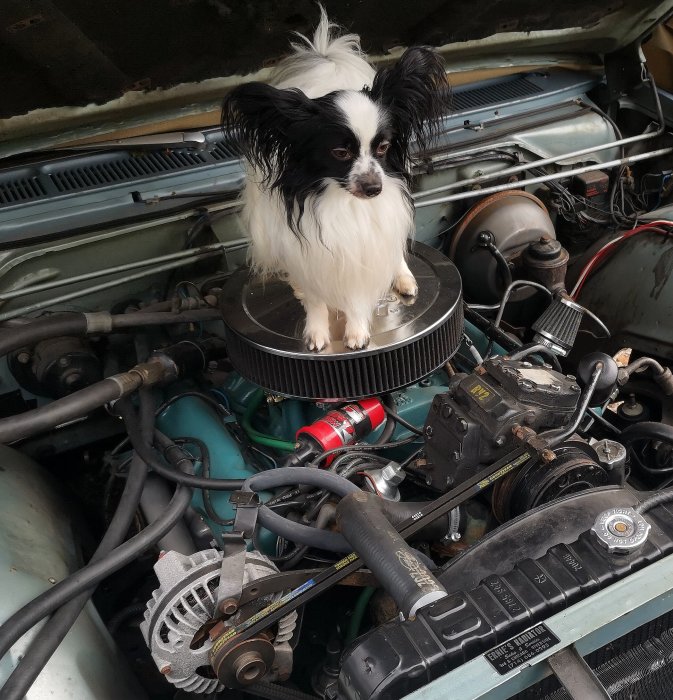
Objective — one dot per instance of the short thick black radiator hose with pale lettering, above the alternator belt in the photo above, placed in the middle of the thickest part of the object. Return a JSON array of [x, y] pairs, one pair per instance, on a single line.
[[394, 563]]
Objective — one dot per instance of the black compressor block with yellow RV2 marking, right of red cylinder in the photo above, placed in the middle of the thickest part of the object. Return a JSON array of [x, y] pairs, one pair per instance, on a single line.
[[471, 424]]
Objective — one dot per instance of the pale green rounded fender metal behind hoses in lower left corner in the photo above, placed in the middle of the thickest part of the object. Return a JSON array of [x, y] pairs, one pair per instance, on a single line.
[[38, 548]]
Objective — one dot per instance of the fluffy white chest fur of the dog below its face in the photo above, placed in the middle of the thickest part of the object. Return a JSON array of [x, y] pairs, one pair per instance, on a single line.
[[351, 249]]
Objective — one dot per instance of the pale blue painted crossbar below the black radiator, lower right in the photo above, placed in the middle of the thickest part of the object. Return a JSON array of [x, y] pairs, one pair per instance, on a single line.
[[589, 625]]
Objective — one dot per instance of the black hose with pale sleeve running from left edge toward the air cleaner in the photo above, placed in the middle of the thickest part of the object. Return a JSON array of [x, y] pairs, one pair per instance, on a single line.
[[80, 324]]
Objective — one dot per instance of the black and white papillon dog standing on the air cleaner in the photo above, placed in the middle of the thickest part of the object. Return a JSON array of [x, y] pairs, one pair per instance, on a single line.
[[327, 201]]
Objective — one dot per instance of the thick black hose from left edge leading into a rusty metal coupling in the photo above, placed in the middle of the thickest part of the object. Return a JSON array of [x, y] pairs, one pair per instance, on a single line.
[[76, 405]]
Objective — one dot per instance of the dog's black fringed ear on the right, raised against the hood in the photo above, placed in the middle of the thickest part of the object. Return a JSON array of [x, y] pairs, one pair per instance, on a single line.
[[416, 93]]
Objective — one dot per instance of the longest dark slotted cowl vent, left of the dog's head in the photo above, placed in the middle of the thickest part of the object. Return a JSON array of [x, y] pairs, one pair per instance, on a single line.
[[123, 169]]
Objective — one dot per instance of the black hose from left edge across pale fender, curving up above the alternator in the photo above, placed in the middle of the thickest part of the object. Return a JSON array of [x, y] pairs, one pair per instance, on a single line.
[[93, 573]]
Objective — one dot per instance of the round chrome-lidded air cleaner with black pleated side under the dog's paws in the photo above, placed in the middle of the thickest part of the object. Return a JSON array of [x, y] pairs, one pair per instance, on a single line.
[[264, 326]]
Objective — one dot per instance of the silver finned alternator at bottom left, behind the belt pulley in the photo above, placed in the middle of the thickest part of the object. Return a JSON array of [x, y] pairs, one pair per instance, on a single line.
[[185, 601]]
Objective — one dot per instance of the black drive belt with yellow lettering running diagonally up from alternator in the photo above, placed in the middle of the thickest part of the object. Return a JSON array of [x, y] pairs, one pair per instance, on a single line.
[[349, 564]]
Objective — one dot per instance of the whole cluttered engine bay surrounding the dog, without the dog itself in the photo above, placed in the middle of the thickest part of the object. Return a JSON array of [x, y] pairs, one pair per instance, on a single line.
[[207, 509]]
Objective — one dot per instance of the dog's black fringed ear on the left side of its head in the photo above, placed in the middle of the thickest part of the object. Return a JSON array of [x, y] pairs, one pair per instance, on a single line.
[[265, 119]]
